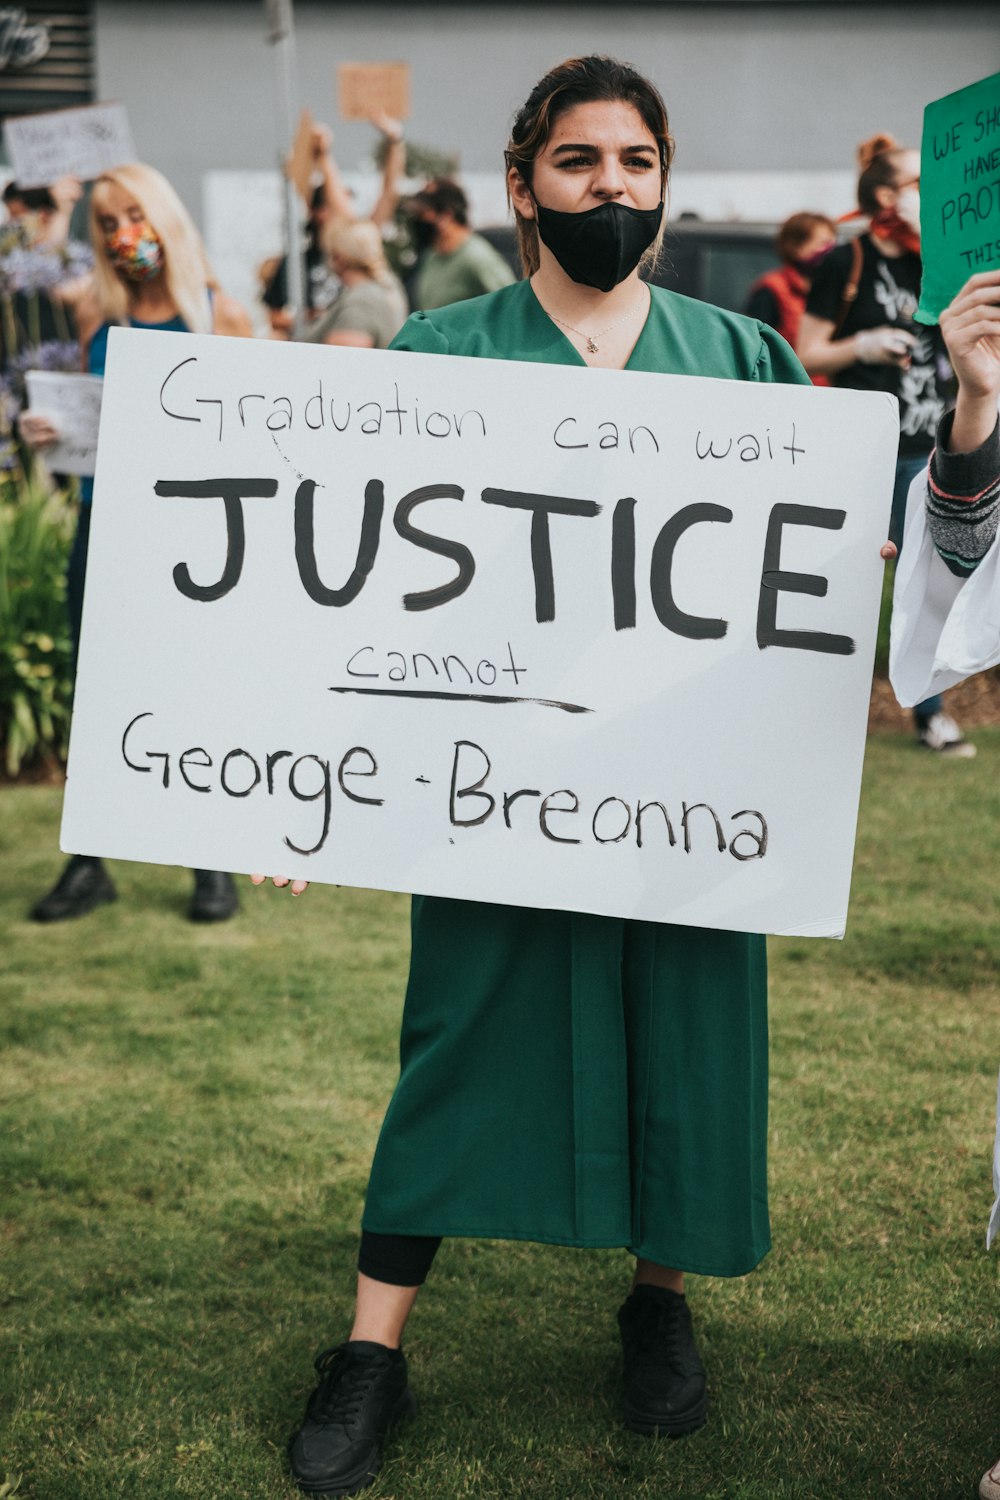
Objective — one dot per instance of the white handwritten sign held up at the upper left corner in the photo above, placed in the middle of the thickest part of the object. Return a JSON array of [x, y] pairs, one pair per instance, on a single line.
[[68, 143]]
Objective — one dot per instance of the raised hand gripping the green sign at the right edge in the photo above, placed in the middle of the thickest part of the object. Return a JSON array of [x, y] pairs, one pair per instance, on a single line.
[[971, 326]]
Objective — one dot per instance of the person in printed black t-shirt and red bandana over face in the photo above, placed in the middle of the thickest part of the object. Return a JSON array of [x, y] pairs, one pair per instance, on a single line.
[[860, 329]]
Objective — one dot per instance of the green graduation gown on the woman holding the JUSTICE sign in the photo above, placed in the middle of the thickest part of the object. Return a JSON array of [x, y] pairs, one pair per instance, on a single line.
[[566, 1078]]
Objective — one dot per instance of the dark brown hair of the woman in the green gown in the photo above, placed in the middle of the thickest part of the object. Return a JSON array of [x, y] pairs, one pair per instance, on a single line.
[[582, 80]]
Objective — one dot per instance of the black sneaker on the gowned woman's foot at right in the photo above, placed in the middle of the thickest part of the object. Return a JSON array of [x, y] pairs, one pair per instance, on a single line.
[[665, 1379]]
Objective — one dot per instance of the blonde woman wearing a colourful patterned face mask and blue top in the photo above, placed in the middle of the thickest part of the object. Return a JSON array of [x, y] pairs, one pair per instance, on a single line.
[[151, 272]]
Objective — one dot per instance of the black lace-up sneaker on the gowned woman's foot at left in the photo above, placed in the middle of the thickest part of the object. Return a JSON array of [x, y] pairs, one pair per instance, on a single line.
[[362, 1394]]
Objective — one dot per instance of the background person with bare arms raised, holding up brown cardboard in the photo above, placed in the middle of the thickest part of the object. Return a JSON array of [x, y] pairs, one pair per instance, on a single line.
[[332, 203]]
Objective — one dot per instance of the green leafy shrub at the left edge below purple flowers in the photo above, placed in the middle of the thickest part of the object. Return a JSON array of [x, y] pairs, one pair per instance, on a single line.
[[35, 643]]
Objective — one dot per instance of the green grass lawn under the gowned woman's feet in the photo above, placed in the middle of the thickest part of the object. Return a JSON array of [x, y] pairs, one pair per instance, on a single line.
[[188, 1118]]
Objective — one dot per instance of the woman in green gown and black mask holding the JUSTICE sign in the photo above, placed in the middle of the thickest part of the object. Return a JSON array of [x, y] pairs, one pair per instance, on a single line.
[[569, 1079]]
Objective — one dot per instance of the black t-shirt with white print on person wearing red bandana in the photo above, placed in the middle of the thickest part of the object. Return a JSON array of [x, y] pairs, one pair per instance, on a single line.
[[888, 295]]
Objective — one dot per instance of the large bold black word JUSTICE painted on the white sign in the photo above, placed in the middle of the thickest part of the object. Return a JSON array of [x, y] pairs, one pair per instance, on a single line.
[[542, 509]]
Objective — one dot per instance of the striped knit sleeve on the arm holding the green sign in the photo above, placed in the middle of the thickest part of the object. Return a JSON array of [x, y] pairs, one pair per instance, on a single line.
[[963, 500]]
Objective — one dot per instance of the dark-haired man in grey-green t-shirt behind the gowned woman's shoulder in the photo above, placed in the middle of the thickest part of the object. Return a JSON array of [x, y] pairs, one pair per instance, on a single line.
[[455, 263]]
